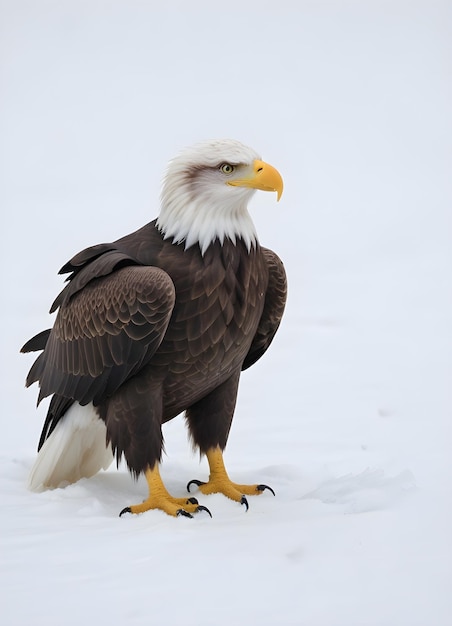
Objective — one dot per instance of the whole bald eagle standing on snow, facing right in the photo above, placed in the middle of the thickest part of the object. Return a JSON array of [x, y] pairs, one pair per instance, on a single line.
[[161, 322]]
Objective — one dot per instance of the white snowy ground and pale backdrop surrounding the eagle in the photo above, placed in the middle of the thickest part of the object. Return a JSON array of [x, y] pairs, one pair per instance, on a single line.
[[348, 416]]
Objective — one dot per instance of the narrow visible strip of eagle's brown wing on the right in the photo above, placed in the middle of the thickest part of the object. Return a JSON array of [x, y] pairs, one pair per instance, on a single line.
[[275, 302]]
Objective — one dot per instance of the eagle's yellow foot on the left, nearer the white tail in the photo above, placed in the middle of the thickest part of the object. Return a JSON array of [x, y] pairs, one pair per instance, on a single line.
[[159, 498]]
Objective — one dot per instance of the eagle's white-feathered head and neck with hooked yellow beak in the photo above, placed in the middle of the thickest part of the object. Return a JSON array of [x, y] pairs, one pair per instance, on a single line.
[[206, 191]]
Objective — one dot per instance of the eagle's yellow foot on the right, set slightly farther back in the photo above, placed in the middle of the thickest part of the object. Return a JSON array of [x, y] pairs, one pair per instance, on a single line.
[[219, 481]]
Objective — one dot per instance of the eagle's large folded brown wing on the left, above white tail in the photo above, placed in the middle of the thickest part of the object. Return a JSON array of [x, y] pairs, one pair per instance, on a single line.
[[105, 333]]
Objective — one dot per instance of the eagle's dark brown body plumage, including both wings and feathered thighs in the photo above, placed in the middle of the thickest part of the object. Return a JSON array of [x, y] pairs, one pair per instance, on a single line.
[[146, 329]]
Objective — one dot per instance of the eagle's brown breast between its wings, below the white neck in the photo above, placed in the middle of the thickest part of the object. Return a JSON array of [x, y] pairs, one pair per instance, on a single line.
[[219, 301]]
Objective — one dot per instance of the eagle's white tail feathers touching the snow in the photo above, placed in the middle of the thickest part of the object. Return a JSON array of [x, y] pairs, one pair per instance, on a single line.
[[75, 449]]
